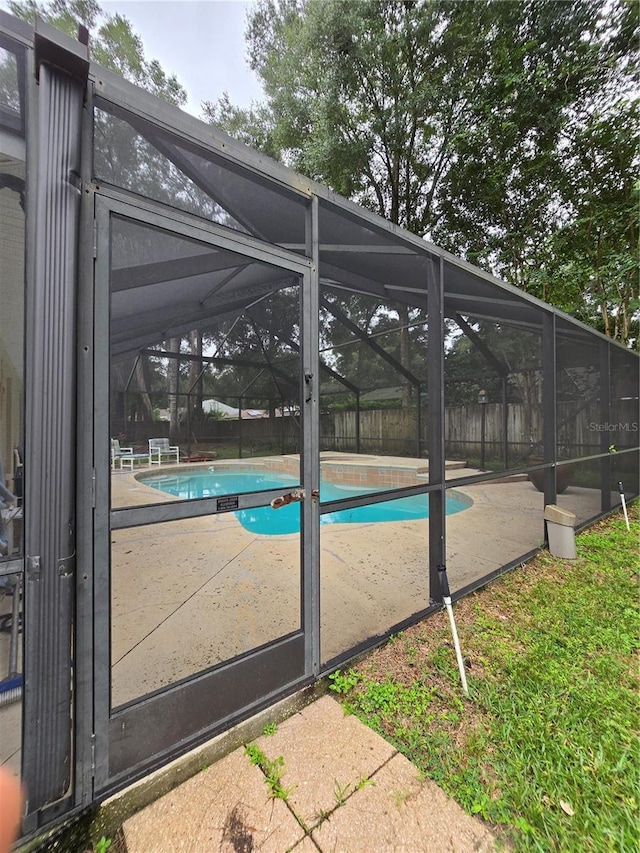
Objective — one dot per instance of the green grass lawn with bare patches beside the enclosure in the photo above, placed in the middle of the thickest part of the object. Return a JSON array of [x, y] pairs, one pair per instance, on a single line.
[[546, 749]]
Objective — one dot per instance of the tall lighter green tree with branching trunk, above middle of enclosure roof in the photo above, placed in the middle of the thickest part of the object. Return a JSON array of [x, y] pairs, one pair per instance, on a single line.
[[365, 96]]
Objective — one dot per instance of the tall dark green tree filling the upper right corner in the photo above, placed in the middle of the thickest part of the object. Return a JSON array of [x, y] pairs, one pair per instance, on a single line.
[[531, 191]]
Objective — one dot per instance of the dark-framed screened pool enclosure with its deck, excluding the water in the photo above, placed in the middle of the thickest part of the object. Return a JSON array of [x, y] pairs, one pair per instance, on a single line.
[[153, 264]]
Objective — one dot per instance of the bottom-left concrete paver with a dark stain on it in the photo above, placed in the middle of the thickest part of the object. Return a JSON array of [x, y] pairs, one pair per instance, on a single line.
[[225, 808]]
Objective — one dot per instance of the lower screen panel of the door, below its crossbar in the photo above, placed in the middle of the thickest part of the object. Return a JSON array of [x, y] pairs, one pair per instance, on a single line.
[[189, 595]]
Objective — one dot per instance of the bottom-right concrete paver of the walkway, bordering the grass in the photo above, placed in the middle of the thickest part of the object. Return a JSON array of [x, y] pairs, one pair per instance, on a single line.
[[397, 812]]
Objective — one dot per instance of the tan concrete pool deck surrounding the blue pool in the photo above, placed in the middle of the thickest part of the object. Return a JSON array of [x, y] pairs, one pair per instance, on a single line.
[[187, 595]]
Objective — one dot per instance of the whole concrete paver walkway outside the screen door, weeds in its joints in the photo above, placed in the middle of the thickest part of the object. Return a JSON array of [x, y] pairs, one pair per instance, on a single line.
[[348, 791]]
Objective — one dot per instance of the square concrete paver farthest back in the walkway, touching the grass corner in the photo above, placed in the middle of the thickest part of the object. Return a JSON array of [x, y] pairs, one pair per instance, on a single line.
[[326, 755]]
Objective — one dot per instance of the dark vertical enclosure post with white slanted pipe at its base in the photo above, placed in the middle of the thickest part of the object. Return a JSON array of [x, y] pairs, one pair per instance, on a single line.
[[435, 427]]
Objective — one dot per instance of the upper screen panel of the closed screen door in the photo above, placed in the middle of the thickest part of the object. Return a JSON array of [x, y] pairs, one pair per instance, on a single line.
[[205, 363]]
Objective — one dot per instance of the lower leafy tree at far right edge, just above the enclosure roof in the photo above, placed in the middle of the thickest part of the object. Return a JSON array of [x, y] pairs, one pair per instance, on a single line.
[[595, 254]]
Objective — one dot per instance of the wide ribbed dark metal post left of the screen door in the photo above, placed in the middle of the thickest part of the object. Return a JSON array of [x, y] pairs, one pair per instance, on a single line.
[[54, 193]]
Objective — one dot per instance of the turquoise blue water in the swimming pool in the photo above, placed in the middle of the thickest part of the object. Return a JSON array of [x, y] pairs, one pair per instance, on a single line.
[[269, 522]]
